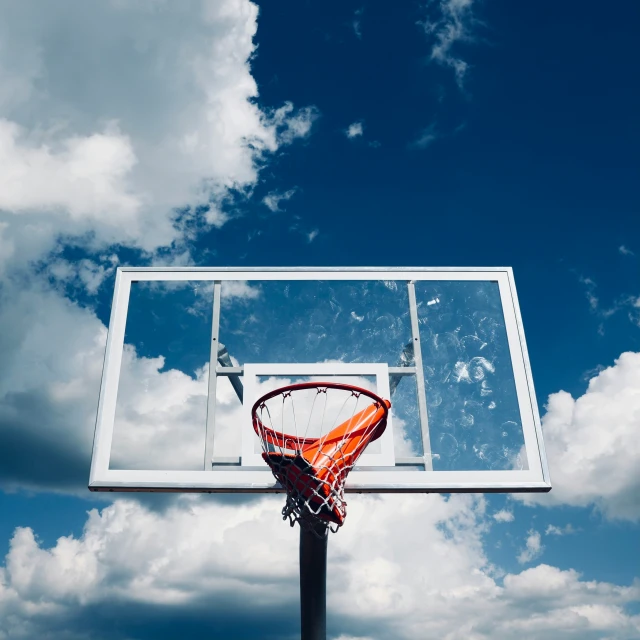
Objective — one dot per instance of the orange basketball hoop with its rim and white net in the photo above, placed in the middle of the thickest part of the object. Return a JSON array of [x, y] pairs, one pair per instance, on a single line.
[[312, 434]]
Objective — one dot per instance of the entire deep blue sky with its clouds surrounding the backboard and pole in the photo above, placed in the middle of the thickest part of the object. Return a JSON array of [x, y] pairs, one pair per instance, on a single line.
[[461, 132]]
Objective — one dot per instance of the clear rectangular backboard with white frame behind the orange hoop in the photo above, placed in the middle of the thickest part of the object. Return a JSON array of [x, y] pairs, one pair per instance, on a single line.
[[190, 350]]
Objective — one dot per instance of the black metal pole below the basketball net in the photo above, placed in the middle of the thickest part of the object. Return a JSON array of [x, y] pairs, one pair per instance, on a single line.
[[313, 583]]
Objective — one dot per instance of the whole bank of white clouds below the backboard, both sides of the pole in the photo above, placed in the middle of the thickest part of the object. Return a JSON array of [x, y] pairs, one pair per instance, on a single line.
[[403, 566]]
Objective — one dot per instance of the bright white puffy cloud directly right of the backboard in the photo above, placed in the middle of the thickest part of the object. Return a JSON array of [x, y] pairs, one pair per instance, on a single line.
[[592, 444]]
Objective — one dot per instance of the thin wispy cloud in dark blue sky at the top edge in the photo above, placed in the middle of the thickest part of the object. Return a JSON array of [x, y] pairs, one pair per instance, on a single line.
[[451, 25]]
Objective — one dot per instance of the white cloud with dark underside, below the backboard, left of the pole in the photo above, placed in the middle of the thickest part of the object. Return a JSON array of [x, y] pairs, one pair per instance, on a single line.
[[128, 557]]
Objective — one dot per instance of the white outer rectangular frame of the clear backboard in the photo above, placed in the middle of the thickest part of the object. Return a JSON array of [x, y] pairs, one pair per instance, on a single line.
[[395, 480]]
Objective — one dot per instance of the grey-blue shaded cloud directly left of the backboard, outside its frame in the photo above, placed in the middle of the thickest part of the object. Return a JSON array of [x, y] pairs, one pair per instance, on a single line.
[[51, 352]]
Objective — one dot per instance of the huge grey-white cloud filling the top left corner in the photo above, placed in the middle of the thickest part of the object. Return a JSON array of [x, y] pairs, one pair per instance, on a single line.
[[158, 112]]
